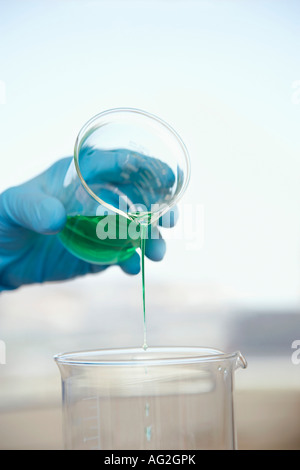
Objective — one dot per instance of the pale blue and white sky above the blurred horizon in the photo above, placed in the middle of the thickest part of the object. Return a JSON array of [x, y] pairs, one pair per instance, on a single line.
[[220, 72]]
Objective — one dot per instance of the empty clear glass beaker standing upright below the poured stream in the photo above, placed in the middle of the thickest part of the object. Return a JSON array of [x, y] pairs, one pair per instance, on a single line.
[[163, 398]]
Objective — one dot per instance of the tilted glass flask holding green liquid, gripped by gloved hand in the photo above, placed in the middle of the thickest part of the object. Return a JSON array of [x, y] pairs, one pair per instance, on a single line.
[[129, 169]]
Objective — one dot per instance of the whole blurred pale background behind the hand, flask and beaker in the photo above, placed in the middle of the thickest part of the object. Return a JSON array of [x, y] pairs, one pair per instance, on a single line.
[[226, 75]]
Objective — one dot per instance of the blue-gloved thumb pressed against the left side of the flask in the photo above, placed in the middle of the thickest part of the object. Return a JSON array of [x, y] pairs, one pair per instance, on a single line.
[[32, 210]]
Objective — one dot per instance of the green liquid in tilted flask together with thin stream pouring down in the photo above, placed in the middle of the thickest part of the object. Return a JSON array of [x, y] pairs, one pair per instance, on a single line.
[[81, 237]]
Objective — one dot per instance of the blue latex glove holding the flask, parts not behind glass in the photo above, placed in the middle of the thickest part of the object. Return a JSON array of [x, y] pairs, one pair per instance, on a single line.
[[31, 216]]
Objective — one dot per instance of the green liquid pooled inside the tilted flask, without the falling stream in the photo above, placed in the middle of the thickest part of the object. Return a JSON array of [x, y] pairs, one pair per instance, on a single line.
[[81, 239]]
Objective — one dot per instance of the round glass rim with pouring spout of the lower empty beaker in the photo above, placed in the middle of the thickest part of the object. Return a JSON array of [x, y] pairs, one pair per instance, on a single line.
[[158, 356]]
